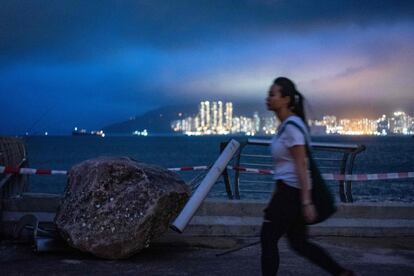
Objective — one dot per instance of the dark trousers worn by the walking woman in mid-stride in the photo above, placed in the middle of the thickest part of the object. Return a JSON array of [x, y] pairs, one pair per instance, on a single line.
[[283, 215]]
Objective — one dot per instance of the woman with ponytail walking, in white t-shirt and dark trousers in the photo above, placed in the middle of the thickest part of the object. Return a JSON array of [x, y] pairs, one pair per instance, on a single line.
[[291, 206]]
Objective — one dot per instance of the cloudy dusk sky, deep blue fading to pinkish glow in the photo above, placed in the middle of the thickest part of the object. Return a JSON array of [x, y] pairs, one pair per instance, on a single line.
[[91, 63]]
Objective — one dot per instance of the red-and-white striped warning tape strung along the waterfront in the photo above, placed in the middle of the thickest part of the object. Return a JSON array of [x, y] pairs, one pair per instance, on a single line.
[[326, 176]]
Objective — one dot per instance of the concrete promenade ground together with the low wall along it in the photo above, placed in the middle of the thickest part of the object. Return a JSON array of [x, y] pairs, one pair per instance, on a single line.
[[372, 239]]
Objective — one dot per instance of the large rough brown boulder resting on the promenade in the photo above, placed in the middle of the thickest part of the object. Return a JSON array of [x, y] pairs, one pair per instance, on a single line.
[[114, 207]]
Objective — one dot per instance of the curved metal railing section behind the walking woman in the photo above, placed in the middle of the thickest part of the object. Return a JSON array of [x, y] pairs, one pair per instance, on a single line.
[[254, 153]]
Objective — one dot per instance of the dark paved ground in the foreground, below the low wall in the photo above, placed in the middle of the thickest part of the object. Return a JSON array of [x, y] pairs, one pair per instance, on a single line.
[[373, 256]]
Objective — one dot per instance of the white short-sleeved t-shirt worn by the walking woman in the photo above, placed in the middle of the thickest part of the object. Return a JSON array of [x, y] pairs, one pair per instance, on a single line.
[[283, 162]]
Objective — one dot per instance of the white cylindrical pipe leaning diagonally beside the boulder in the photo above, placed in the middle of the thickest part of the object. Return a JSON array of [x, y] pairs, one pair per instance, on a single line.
[[206, 184]]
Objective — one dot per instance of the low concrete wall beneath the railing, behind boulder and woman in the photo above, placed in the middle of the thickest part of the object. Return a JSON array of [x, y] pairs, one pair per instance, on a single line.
[[220, 217]]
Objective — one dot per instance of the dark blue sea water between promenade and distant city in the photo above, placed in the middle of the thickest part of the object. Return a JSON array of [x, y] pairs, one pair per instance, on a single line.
[[382, 155]]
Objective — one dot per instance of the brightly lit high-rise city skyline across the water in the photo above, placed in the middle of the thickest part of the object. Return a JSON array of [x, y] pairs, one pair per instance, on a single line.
[[212, 120]]
